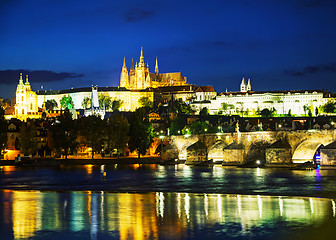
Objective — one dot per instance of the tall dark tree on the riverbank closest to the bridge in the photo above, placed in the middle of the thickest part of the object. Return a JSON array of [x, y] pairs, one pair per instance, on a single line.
[[141, 132]]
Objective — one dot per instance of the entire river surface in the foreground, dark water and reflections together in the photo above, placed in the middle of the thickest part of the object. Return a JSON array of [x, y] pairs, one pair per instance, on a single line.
[[166, 202]]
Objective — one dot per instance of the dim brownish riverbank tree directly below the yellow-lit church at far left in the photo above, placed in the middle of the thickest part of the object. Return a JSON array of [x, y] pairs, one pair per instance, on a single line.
[[28, 141]]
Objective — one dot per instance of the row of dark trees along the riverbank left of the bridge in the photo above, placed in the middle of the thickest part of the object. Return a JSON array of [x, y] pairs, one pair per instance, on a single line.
[[64, 136]]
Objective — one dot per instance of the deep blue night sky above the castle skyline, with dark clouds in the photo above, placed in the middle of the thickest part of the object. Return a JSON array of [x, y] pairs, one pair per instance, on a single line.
[[279, 44]]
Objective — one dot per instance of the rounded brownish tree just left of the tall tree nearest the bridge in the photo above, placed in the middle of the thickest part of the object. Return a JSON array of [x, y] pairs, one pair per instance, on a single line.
[[117, 133]]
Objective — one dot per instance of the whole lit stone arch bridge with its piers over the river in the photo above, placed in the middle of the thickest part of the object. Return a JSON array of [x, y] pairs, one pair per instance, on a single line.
[[270, 147]]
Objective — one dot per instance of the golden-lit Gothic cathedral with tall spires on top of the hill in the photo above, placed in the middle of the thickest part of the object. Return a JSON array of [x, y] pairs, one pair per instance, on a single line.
[[140, 77]]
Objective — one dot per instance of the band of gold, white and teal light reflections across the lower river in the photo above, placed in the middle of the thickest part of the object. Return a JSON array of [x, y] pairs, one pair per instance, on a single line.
[[98, 215]]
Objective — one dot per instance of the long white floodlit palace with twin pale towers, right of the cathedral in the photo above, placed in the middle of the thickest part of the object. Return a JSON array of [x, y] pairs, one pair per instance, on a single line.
[[249, 102]]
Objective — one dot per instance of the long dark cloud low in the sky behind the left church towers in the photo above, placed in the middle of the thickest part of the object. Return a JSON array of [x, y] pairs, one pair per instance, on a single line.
[[12, 76]]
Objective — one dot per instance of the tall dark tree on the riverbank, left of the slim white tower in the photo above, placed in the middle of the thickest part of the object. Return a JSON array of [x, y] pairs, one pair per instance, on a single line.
[[64, 134]]
